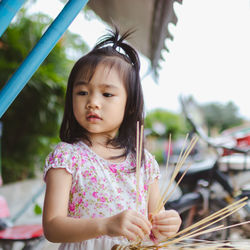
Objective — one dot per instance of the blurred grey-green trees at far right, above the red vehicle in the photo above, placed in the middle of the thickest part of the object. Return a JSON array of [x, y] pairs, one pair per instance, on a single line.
[[221, 116]]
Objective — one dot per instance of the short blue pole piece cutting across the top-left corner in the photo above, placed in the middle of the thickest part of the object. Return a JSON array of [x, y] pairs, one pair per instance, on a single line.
[[8, 9]]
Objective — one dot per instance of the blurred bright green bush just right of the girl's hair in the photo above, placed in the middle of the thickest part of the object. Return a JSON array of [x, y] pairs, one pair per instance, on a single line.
[[161, 123]]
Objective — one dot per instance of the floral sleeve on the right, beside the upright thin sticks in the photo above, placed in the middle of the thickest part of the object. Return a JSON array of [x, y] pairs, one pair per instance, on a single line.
[[152, 169]]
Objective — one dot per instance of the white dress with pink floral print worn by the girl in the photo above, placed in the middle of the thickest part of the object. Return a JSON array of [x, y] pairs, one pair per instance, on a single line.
[[101, 188]]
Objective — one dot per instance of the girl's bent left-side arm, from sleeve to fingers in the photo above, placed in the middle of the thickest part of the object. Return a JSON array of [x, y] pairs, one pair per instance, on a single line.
[[60, 228]]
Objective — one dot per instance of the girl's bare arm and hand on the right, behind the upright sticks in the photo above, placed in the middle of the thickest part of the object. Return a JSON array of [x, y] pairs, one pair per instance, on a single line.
[[166, 222]]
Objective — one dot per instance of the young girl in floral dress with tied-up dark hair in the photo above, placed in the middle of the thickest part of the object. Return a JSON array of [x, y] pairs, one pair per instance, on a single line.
[[90, 200]]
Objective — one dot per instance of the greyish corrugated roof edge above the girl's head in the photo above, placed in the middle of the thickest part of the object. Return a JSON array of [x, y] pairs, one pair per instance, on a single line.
[[150, 18]]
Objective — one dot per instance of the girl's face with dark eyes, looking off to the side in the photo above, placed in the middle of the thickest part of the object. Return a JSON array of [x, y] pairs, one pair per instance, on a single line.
[[99, 105]]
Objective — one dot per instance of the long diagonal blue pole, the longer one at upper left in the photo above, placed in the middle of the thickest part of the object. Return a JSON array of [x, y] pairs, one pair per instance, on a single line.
[[47, 42]]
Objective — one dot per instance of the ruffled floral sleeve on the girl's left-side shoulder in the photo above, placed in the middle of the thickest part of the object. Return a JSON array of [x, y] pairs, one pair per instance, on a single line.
[[62, 156]]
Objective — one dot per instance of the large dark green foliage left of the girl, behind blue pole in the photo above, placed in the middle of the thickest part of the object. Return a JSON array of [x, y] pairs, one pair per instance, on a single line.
[[32, 122]]
